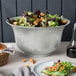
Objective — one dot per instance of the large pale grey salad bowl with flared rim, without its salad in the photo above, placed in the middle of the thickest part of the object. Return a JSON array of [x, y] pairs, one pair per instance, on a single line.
[[38, 41]]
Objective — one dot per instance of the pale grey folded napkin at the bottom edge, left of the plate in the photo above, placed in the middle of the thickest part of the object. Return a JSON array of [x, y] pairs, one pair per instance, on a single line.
[[22, 71]]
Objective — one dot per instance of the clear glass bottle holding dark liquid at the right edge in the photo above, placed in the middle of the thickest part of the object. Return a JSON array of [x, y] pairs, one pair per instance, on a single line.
[[71, 49]]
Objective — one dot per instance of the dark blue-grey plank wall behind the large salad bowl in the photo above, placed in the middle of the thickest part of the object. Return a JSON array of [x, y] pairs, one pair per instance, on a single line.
[[12, 8]]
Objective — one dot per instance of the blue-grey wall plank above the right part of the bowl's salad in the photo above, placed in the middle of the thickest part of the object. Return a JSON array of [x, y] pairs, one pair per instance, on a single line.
[[54, 6]]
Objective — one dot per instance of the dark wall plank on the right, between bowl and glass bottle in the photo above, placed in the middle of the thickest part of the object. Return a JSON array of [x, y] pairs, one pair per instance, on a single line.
[[68, 11]]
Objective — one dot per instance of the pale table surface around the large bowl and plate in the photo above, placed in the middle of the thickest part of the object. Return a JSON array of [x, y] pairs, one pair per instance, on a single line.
[[15, 60]]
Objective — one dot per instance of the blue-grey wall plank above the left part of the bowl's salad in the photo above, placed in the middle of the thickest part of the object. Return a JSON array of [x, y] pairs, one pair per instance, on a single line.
[[23, 5]]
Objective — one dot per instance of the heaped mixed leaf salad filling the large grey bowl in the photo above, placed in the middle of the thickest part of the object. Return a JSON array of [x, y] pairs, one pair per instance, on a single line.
[[38, 19]]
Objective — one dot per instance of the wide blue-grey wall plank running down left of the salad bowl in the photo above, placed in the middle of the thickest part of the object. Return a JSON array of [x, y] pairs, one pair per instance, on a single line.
[[8, 9]]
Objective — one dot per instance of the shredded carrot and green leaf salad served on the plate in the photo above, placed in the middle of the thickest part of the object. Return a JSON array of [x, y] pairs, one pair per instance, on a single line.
[[59, 69]]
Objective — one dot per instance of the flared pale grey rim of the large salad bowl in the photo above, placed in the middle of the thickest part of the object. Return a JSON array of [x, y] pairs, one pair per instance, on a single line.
[[68, 22]]
